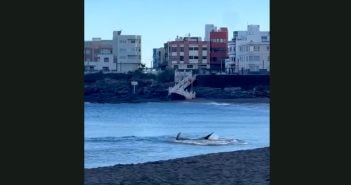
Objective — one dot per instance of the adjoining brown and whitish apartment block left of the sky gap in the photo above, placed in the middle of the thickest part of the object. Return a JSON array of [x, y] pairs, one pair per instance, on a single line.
[[121, 54]]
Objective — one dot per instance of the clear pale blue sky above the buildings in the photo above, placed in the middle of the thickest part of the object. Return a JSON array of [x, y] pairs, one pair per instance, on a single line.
[[159, 21]]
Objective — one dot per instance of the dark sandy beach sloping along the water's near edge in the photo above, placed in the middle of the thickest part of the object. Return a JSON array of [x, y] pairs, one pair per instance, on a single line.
[[225, 168]]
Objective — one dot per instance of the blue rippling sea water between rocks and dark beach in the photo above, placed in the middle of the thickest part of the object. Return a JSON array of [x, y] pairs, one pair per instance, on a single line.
[[135, 133]]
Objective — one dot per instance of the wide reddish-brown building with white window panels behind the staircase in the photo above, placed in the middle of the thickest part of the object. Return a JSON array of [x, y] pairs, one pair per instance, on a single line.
[[188, 53]]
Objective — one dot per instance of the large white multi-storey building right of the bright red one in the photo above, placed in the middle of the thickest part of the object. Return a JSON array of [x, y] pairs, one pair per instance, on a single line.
[[249, 50]]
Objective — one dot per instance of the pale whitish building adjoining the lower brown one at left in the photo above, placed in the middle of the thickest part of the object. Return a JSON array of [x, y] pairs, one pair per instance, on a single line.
[[127, 51]]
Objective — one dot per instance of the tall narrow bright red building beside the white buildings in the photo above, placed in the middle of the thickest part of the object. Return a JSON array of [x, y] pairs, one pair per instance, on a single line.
[[218, 49]]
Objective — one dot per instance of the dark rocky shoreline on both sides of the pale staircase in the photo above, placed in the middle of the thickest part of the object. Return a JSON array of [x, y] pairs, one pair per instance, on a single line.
[[116, 88]]
